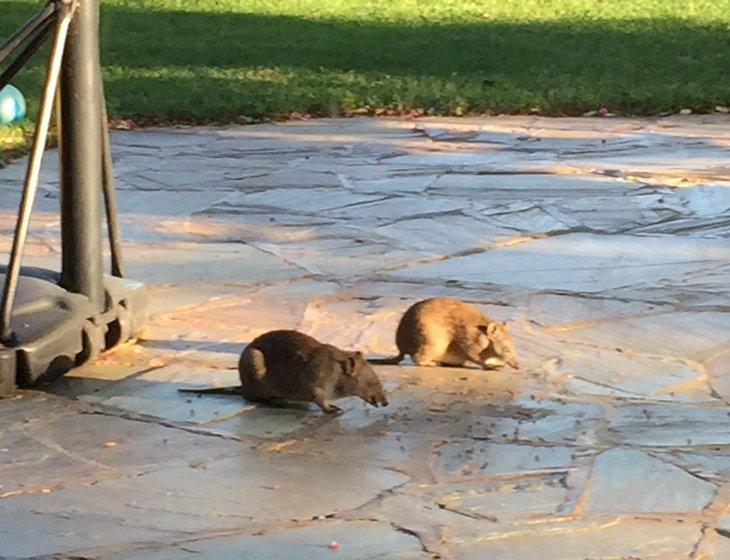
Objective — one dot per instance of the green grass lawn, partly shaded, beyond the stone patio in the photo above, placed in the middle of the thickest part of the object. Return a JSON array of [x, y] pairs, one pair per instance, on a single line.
[[208, 60]]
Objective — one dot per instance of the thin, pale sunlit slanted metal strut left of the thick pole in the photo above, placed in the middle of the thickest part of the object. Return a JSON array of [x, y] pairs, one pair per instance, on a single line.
[[32, 174]]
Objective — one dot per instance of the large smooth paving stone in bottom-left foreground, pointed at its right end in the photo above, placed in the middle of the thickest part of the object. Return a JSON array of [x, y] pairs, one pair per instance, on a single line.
[[196, 497]]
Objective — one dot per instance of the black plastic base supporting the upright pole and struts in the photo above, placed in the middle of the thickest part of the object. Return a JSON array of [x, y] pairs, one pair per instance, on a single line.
[[55, 330]]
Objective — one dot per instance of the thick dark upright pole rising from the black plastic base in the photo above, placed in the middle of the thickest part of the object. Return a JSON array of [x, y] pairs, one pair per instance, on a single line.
[[81, 158]]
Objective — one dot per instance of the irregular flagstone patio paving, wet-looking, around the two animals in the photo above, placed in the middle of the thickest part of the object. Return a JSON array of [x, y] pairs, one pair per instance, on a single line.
[[603, 241]]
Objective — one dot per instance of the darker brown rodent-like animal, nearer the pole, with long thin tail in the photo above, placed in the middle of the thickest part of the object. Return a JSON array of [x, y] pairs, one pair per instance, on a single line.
[[287, 365]]
